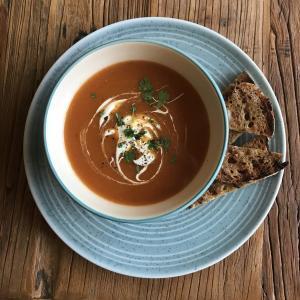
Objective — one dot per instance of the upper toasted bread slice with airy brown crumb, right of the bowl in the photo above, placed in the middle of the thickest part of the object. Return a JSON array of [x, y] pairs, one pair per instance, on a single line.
[[248, 108]]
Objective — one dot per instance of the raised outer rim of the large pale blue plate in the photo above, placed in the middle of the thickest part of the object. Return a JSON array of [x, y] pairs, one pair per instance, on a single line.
[[72, 244]]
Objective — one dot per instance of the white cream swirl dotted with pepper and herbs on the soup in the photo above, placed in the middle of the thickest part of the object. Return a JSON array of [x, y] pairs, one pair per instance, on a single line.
[[144, 127]]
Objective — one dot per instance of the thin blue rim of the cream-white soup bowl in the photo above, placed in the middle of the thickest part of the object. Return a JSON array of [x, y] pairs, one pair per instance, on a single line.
[[187, 203]]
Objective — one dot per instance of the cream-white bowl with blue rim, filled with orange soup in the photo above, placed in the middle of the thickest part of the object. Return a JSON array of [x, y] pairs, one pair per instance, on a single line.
[[135, 130]]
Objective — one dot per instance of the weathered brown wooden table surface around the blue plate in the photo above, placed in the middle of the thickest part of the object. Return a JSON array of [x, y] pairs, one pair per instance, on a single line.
[[34, 263]]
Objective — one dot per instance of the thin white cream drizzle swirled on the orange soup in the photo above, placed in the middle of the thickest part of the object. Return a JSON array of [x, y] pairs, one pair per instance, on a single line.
[[137, 122]]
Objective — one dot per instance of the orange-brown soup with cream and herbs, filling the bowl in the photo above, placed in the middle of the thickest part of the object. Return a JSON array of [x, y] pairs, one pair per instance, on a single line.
[[136, 133]]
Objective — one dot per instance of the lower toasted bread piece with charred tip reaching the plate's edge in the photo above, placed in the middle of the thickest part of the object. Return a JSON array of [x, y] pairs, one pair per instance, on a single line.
[[221, 186]]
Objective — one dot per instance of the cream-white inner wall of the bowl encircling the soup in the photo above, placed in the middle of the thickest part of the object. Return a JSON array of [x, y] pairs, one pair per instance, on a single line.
[[99, 59]]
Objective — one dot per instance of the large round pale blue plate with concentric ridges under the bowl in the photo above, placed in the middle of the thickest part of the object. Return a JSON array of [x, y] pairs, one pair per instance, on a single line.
[[182, 242]]
